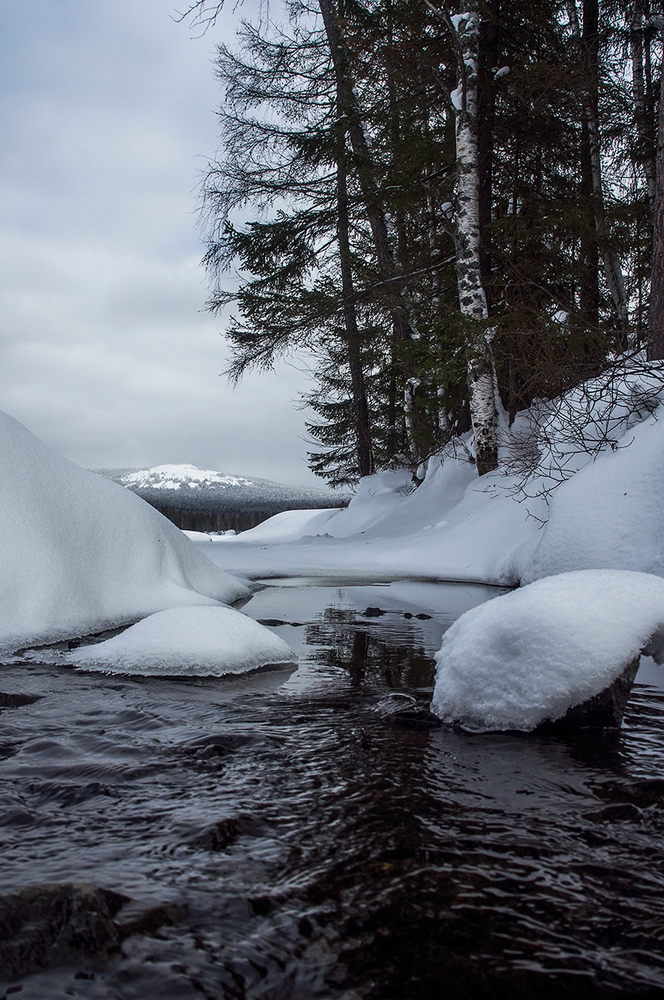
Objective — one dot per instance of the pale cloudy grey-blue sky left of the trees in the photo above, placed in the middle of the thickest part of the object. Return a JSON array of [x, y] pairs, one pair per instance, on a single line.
[[107, 352]]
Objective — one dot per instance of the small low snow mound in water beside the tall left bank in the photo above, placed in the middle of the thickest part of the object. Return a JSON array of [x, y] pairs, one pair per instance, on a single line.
[[194, 642]]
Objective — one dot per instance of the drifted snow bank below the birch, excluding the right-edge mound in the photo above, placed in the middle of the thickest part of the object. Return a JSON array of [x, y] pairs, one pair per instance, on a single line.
[[453, 527]]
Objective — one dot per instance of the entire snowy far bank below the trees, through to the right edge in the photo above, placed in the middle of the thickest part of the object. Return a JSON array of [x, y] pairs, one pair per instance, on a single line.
[[607, 514]]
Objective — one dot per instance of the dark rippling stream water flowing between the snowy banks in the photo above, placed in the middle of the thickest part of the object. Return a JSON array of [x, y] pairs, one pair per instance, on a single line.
[[310, 849]]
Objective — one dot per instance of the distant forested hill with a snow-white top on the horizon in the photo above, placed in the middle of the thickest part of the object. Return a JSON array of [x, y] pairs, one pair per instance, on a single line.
[[205, 500]]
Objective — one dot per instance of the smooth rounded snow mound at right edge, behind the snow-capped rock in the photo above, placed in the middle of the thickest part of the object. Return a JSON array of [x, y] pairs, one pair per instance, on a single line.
[[610, 514]]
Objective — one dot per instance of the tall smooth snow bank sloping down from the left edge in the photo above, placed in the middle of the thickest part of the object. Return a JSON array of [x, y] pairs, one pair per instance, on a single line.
[[80, 553]]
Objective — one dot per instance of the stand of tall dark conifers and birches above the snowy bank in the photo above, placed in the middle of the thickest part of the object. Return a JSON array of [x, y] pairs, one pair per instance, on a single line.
[[453, 212]]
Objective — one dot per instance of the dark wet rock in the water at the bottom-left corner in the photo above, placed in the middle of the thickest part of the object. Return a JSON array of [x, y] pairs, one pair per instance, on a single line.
[[56, 924]]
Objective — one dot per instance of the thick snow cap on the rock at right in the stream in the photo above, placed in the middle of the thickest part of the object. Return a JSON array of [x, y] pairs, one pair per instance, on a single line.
[[530, 655]]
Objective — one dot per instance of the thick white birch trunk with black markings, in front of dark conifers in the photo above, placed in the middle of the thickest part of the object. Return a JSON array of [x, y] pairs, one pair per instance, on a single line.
[[472, 298]]
